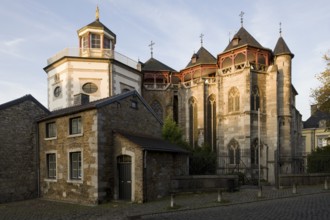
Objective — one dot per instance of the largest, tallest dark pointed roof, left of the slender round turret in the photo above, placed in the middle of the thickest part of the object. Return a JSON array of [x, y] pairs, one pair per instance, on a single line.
[[244, 38]]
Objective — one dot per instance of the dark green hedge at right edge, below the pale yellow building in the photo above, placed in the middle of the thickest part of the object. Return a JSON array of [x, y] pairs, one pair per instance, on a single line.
[[319, 160]]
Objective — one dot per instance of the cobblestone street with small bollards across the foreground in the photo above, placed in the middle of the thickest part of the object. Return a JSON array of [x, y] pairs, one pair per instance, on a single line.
[[309, 202]]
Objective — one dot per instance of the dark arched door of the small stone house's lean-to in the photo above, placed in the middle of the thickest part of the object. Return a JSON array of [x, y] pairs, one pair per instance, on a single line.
[[124, 165]]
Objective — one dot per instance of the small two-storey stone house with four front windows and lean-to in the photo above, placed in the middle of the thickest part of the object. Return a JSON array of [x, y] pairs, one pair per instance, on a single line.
[[85, 158]]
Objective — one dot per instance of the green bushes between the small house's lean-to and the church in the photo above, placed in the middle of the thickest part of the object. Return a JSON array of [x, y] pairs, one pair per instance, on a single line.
[[202, 160]]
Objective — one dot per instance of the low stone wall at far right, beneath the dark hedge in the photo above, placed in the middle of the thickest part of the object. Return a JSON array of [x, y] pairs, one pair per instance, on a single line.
[[303, 179]]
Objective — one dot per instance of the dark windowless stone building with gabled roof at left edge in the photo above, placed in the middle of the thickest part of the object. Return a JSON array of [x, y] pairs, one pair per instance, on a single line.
[[18, 148]]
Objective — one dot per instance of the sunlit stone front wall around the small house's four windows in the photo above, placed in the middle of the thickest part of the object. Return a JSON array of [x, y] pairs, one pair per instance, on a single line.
[[63, 187]]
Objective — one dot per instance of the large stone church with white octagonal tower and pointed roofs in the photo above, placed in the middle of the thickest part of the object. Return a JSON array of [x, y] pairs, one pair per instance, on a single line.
[[233, 102]]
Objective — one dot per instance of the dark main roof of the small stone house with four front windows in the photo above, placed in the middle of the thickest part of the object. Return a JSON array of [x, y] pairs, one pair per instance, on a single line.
[[98, 104]]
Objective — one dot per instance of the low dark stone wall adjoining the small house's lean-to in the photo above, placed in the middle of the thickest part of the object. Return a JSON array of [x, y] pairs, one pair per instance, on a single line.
[[198, 183]]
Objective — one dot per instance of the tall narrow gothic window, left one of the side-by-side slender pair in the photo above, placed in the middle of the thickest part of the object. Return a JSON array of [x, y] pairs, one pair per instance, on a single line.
[[193, 131]]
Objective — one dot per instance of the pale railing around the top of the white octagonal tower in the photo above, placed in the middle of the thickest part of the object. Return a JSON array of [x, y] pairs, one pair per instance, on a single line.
[[95, 53]]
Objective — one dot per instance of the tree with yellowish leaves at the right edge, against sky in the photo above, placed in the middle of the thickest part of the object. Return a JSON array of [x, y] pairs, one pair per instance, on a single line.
[[321, 94]]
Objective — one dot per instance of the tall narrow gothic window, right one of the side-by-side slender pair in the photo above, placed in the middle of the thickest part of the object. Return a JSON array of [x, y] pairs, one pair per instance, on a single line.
[[210, 128]]
